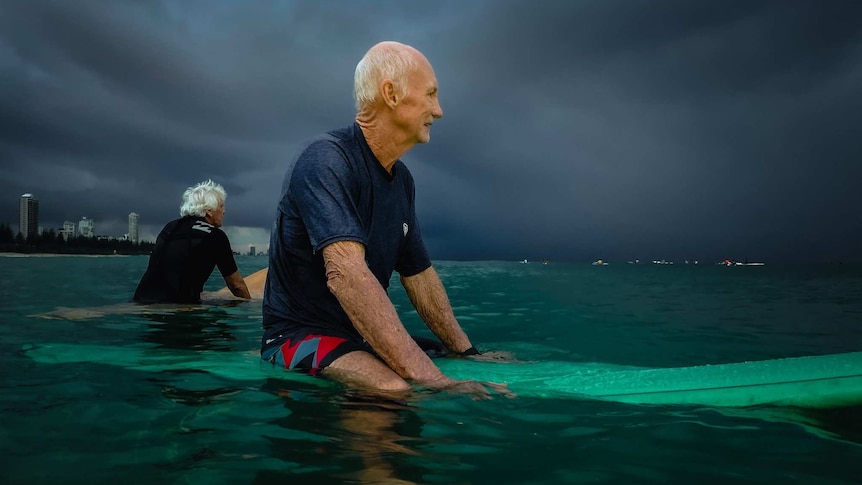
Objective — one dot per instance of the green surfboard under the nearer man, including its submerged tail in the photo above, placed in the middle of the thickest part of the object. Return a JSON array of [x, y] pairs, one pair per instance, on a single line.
[[828, 381]]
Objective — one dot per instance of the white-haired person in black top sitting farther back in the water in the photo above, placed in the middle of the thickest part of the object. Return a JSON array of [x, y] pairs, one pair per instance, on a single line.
[[188, 249]]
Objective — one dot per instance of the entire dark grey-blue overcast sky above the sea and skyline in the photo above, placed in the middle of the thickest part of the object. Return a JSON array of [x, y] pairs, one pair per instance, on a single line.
[[573, 130]]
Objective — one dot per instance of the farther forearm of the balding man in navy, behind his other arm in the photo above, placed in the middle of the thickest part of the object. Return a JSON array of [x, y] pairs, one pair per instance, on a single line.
[[428, 295]]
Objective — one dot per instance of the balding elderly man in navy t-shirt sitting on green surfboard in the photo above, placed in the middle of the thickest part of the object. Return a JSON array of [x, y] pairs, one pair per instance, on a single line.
[[346, 220]]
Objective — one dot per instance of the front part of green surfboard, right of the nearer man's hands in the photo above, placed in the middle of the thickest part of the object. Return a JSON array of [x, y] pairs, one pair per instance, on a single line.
[[826, 381]]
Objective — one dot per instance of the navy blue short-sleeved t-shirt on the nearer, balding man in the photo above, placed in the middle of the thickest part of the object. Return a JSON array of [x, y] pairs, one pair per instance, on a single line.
[[336, 190]]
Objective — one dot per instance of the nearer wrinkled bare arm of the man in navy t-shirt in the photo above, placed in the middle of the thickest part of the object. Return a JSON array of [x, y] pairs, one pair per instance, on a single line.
[[373, 314]]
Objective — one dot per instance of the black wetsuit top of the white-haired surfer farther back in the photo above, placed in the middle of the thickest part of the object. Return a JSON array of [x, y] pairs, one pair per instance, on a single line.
[[187, 250]]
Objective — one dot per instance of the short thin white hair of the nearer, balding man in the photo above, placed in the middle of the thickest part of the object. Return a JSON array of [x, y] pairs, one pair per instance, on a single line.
[[387, 60]]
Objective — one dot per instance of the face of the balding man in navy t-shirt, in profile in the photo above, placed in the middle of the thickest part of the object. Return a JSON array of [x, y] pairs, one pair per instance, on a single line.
[[420, 106]]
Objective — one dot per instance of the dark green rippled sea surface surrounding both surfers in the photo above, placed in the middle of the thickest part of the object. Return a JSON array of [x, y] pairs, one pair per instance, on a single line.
[[170, 397]]
